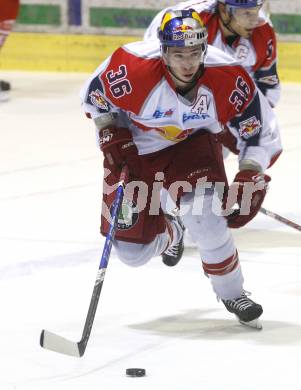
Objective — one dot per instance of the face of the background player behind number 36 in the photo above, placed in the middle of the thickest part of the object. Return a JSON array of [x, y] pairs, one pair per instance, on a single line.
[[244, 20]]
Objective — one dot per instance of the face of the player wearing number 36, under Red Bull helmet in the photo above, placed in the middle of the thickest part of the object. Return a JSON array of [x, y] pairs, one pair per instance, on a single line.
[[184, 62]]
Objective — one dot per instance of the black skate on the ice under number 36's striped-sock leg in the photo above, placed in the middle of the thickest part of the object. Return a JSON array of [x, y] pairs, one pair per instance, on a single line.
[[246, 310]]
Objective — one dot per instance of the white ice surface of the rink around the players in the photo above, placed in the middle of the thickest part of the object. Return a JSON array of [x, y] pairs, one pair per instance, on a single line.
[[166, 320]]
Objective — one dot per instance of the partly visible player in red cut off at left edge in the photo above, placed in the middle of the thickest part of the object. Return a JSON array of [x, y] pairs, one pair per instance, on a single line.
[[8, 14]]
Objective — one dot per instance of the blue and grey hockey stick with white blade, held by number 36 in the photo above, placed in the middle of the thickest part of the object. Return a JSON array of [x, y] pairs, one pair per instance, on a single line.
[[59, 344]]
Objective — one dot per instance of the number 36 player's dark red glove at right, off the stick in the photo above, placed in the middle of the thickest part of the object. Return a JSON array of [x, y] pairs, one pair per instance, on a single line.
[[248, 190]]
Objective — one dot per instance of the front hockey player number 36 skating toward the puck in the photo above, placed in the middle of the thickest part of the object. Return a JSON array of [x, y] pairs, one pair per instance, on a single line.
[[158, 107]]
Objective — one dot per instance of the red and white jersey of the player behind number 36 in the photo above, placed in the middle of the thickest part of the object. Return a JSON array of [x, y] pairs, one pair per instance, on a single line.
[[257, 54]]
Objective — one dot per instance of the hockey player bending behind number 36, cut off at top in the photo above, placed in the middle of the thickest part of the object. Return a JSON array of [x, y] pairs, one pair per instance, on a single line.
[[241, 29]]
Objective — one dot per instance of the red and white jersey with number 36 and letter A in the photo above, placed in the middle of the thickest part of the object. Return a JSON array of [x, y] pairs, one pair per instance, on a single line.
[[135, 86]]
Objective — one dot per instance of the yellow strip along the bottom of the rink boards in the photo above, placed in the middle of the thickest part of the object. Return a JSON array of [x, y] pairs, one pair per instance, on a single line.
[[83, 53]]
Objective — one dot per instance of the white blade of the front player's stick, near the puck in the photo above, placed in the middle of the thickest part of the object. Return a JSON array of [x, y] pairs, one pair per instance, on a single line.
[[59, 344]]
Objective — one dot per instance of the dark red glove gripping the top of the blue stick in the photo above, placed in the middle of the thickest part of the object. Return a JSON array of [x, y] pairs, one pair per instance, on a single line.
[[119, 148]]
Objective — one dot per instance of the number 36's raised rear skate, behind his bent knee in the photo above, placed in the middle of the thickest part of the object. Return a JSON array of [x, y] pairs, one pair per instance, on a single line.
[[174, 253]]
